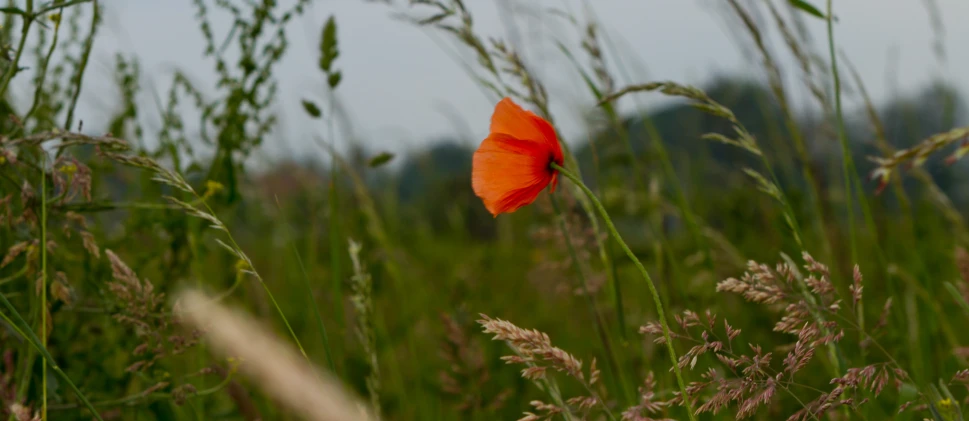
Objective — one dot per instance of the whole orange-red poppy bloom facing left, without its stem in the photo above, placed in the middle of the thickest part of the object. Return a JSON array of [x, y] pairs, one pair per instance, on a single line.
[[513, 164]]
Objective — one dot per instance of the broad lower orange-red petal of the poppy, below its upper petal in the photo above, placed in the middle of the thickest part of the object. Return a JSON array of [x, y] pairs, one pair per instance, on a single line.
[[508, 173]]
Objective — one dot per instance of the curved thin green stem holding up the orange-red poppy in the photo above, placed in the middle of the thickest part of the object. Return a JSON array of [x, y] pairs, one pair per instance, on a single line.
[[649, 282]]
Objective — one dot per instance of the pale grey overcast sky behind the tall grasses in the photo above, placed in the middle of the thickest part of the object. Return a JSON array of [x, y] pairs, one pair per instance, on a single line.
[[404, 86]]
